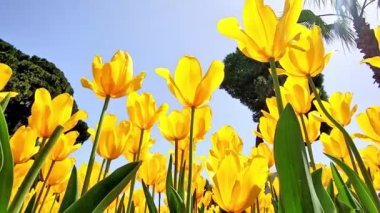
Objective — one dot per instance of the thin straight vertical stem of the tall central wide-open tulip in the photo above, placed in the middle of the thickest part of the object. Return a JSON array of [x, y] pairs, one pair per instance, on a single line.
[[188, 201]]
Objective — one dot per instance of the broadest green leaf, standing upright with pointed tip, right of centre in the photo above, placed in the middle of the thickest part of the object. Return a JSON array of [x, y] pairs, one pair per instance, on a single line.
[[296, 186]]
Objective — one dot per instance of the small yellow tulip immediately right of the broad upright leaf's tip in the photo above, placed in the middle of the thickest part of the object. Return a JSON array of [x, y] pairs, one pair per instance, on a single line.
[[313, 126]]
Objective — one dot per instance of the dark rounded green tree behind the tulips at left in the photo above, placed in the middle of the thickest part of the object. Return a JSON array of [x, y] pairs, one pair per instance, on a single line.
[[29, 74]]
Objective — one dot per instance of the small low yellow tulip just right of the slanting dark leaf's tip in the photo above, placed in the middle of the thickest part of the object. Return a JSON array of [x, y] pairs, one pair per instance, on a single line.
[[153, 169]]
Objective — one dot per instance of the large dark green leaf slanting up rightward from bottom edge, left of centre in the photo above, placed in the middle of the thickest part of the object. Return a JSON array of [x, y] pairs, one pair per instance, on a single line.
[[103, 193]]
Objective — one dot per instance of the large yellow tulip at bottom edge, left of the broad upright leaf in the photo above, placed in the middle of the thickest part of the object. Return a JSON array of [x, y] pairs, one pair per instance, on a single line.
[[236, 186]]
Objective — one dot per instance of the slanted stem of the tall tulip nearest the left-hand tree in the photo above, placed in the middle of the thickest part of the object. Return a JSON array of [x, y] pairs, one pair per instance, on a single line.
[[94, 147]]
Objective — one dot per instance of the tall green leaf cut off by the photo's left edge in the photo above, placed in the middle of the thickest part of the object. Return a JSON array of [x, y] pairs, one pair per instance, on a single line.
[[6, 172]]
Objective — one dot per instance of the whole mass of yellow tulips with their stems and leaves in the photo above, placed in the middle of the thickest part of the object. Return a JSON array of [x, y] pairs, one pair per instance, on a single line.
[[37, 173]]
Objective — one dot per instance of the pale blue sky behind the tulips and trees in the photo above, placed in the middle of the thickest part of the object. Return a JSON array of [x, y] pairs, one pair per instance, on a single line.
[[155, 33]]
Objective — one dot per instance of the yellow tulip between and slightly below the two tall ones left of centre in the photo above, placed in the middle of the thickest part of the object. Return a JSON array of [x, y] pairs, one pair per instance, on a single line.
[[142, 110]]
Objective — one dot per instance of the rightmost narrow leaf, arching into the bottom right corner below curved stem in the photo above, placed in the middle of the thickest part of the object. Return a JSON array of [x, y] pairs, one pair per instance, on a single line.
[[361, 189]]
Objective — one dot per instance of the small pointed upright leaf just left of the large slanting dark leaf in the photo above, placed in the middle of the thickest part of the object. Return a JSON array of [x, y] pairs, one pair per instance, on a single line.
[[71, 194]]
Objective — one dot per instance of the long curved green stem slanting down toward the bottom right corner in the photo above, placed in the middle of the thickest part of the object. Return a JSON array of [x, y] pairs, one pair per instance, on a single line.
[[350, 146]]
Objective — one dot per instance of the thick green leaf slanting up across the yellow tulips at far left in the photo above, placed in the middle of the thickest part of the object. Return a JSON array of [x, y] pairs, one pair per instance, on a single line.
[[33, 171]]
